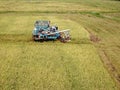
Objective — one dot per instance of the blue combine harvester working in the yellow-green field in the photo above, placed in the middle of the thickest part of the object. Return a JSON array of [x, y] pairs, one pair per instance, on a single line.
[[43, 32]]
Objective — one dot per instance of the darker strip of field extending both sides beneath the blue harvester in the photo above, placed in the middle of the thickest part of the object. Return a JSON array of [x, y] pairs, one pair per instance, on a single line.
[[22, 38]]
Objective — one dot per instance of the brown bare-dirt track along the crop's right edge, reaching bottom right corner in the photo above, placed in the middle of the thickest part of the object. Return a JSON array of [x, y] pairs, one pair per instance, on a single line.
[[106, 61]]
